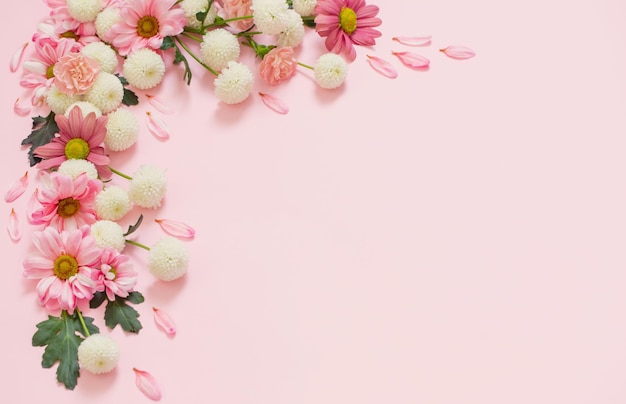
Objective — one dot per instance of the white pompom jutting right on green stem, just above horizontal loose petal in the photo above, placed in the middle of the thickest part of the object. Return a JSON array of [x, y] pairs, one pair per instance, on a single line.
[[148, 186]]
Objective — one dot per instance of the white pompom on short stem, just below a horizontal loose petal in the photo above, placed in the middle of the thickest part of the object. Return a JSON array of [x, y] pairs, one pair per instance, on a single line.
[[168, 259]]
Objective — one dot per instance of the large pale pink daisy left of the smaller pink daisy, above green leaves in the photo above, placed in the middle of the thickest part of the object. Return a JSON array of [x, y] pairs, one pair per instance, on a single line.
[[64, 266]]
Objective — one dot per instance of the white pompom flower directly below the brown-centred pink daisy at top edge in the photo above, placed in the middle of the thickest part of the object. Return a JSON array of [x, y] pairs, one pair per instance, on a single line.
[[144, 69]]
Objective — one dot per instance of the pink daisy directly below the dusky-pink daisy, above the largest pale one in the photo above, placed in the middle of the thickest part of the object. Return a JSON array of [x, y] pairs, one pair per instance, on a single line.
[[66, 203]]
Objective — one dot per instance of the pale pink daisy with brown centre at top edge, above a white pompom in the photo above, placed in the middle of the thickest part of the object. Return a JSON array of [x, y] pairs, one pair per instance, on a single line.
[[144, 23]]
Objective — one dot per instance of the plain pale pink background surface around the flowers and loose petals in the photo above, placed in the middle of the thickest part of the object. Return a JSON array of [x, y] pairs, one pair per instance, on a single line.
[[451, 236]]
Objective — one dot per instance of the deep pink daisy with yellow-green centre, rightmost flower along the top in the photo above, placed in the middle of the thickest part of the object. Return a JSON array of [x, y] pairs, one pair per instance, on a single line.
[[346, 23]]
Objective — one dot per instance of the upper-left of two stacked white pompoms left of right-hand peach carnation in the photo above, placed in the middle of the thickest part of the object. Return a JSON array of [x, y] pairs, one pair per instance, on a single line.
[[219, 47]]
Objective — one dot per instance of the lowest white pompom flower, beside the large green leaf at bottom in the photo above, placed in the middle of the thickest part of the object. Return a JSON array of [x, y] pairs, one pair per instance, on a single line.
[[98, 353]]
